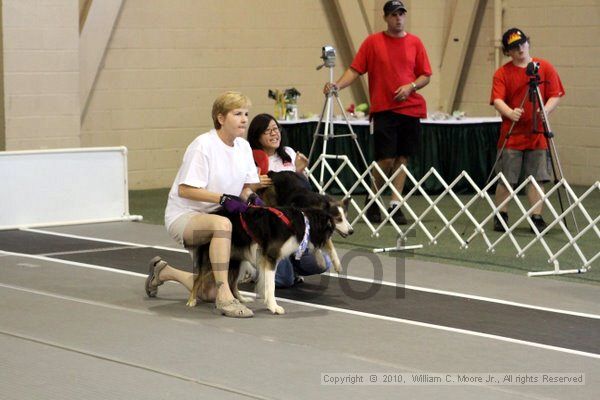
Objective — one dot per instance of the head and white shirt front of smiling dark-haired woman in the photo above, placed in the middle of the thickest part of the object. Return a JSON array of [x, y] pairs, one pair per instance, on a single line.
[[264, 134]]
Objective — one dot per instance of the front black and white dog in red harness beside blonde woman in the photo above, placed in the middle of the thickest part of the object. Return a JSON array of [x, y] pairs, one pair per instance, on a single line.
[[265, 235]]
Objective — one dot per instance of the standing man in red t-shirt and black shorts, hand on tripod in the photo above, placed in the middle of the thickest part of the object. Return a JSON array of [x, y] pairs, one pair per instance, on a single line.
[[398, 66]]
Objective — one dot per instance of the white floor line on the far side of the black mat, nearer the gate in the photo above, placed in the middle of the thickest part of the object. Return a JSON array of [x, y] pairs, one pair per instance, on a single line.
[[366, 280]]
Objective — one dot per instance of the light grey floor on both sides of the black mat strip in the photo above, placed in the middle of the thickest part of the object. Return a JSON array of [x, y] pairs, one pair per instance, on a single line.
[[68, 331]]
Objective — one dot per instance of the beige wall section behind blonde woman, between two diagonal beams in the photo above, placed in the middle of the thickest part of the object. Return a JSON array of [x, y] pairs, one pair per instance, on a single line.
[[167, 61]]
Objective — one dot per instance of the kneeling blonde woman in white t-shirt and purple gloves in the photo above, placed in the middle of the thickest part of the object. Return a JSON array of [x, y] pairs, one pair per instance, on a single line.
[[217, 168]]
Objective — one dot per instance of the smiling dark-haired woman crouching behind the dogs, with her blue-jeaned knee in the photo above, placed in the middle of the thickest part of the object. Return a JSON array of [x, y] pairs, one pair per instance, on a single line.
[[264, 135]]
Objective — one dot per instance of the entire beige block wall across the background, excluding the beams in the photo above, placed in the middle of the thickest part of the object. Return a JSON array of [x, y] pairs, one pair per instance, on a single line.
[[168, 59]]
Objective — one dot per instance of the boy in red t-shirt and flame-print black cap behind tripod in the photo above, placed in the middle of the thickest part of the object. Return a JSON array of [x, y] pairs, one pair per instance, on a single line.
[[526, 147]]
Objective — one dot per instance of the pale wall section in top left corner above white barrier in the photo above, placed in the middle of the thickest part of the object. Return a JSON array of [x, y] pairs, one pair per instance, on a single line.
[[41, 74]]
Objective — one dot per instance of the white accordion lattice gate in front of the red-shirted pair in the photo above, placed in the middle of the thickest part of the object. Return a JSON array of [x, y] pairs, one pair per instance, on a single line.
[[590, 225]]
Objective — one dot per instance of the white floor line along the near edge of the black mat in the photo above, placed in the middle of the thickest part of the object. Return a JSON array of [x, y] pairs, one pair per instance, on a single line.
[[336, 309]]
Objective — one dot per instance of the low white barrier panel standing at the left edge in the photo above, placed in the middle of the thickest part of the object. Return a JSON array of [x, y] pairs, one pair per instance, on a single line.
[[63, 186]]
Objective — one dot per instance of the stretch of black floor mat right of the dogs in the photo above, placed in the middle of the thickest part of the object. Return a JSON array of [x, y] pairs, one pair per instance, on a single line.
[[521, 323]]
